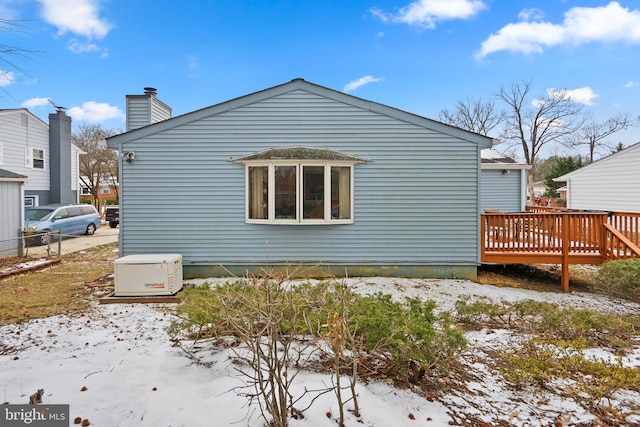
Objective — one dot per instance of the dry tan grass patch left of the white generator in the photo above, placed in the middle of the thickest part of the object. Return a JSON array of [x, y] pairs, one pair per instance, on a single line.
[[58, 289]]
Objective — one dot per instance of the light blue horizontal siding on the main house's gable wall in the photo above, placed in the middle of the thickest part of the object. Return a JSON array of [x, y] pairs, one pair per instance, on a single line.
[[416, 198]]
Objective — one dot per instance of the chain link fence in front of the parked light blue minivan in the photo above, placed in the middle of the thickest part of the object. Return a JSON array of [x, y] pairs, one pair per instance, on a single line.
[[29, 244]]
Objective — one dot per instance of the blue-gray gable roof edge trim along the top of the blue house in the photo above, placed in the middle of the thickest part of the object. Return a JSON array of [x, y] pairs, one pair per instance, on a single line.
[[293, 85]]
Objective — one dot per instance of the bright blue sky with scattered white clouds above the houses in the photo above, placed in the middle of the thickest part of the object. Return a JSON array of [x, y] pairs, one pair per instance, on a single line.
[[419, 56]]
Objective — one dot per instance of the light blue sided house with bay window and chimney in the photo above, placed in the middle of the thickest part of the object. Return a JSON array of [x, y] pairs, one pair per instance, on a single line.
[[299, 174]]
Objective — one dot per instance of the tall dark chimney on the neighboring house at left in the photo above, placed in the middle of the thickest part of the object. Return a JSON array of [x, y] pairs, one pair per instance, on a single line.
[[60, 188]]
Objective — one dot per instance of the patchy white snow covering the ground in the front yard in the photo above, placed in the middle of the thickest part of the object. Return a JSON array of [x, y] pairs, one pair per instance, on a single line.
[[115, 366]]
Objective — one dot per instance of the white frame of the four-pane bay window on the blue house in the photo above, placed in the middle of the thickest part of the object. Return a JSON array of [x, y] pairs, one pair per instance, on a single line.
[[299, 164]]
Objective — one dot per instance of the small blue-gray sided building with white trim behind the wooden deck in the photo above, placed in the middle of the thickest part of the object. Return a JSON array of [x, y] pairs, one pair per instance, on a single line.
[[504, 182]]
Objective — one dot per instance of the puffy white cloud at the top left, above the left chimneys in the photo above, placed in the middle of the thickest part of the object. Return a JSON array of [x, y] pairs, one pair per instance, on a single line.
[[80, 17]]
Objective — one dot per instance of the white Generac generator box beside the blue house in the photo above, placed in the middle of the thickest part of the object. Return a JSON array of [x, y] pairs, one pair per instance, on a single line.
[[148, 274]]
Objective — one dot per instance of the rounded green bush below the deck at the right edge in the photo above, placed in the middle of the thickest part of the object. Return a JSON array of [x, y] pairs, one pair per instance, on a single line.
[[620, 278]]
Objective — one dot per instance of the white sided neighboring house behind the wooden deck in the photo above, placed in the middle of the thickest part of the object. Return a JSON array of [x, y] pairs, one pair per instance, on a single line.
[[609, 184]]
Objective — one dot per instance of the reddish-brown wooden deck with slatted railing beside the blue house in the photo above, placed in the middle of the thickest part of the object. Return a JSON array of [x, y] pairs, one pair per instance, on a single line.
[[541, 236]]
